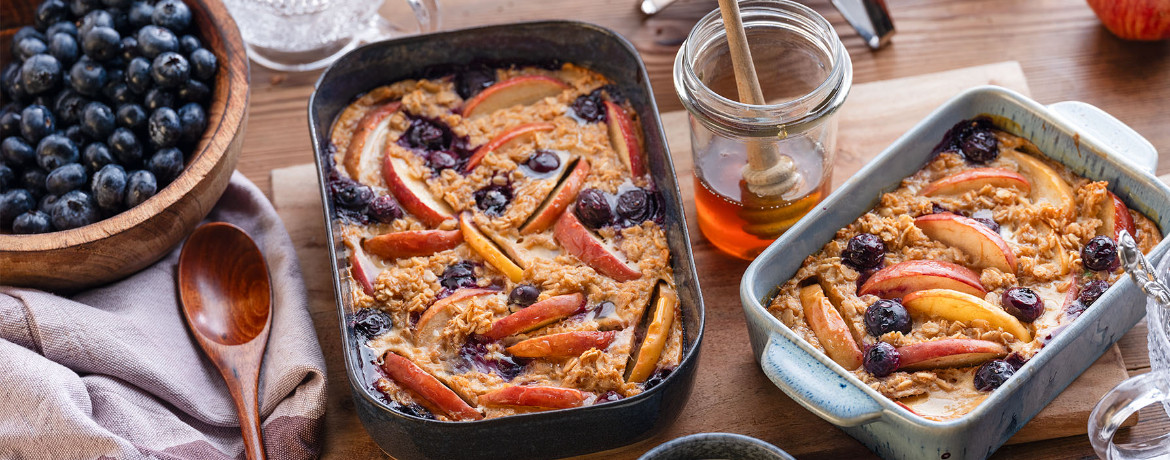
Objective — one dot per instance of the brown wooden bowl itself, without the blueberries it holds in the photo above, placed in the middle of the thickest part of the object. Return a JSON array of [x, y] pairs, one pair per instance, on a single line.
[[127, 243]]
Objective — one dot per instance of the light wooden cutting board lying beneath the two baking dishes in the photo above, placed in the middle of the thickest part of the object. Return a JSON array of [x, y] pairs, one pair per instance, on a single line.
[[732, 394]]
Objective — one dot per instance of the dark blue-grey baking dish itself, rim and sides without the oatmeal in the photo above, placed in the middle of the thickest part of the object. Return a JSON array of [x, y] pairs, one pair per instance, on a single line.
[[534, 436]]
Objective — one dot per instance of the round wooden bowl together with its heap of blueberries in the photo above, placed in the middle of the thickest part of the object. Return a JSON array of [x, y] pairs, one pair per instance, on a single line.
[[121, 122]]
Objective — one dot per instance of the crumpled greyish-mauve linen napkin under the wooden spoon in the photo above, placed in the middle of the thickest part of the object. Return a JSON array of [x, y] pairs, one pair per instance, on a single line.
[[115, 373]]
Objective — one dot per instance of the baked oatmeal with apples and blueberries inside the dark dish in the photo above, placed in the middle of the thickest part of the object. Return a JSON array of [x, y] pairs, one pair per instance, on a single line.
[[506, 243]]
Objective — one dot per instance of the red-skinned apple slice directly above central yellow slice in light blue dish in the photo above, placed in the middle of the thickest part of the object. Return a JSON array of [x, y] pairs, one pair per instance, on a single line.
[[905, 278]]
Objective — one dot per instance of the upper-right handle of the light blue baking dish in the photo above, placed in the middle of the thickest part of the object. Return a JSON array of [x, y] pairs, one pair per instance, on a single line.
[[1110, 132]]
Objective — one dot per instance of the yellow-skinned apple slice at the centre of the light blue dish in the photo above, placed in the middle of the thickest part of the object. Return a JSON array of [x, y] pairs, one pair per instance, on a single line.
[[955, 306]]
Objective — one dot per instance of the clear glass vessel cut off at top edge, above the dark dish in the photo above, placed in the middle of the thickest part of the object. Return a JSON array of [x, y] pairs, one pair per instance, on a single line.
[[297, 36]]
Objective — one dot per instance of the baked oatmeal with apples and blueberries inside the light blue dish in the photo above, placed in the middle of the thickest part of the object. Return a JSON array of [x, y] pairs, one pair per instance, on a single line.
[[942, 292]]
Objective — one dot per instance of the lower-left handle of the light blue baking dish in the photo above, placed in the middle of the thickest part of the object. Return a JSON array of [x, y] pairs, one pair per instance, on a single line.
[[815, 386]]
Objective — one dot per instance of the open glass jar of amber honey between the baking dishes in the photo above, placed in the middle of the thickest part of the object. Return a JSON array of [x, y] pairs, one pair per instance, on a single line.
[[806, 74]]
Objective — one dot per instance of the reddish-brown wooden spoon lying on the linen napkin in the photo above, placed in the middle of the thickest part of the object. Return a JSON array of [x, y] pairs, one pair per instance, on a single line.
[[228, 299]]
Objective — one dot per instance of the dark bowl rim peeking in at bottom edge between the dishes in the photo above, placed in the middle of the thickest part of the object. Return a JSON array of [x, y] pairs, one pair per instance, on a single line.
[[717, 447]]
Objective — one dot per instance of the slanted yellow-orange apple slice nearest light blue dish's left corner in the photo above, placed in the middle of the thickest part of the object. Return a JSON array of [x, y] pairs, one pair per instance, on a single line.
[[830, 328]]
